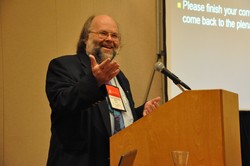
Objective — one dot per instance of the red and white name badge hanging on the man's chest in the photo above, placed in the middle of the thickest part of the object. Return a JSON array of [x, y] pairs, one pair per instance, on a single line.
[[114, 97]]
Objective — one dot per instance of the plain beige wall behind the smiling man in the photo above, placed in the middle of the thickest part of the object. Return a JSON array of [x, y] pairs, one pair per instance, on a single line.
[[34, 32]]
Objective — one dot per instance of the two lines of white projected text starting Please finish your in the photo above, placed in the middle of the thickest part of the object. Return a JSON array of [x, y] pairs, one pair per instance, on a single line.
[[218, 9]]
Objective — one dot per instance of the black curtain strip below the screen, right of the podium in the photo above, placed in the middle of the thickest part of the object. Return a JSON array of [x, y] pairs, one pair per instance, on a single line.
[[245, 137]]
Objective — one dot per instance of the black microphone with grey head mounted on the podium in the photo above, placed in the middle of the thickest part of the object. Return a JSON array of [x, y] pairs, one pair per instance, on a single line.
[[161, 68]]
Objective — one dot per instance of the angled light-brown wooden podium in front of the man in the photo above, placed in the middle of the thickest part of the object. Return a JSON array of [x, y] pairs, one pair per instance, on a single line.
[[203, 122]]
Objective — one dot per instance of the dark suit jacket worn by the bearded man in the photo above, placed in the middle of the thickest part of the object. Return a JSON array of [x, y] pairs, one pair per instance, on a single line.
[[80, 120]]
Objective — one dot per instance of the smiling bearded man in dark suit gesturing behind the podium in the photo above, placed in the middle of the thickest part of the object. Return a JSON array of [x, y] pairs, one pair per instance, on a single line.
[[83, 102]]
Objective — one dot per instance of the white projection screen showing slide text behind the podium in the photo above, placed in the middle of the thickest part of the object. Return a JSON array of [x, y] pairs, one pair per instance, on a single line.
[[208, 45]]
